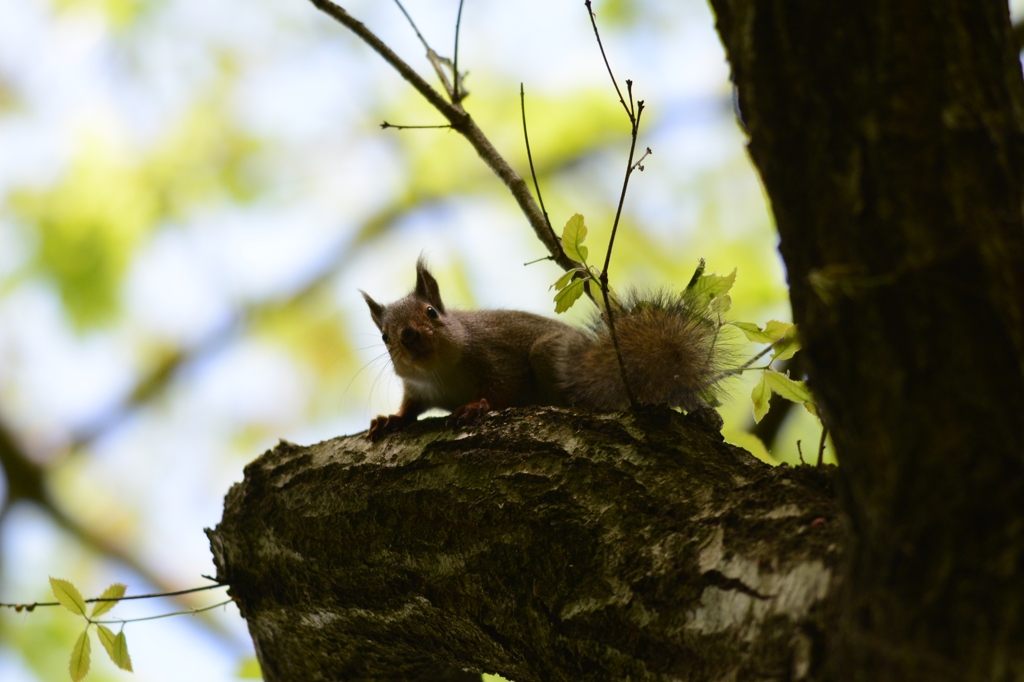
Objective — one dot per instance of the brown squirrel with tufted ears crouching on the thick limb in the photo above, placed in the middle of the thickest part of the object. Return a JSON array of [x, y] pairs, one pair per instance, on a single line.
[[472, 362]]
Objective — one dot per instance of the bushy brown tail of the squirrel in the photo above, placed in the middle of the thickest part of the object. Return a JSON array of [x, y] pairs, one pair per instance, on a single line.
[[673, 352]]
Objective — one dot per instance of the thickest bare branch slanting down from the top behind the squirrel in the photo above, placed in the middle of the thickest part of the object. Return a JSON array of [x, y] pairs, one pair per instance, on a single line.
[[462, 123]]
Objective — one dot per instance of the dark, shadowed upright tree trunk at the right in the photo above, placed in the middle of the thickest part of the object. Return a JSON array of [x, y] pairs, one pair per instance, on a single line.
[[889, 139]]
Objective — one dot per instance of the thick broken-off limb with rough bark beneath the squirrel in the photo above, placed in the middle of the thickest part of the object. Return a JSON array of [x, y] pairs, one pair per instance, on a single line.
[[543, 545]]
